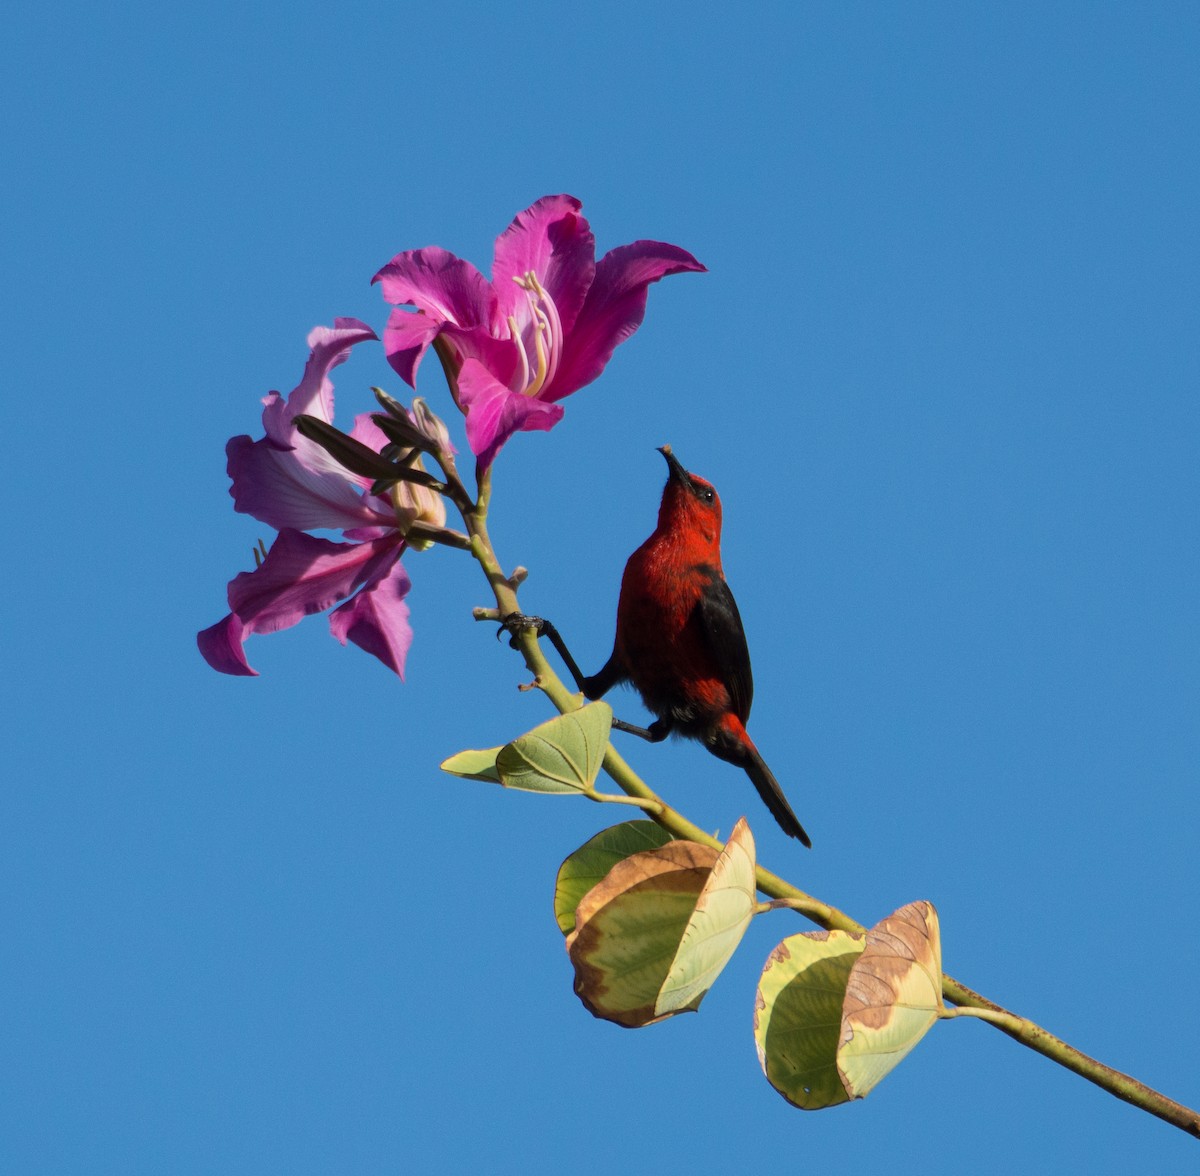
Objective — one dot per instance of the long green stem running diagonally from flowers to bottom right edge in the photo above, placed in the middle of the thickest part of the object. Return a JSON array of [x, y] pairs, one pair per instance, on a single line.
[[783, 893]]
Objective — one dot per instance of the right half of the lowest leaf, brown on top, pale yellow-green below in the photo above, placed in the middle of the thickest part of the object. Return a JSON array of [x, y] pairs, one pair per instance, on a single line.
[[893, 997]]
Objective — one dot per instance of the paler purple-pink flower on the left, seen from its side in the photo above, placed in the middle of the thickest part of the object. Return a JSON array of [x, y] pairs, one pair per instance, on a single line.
[[292, 484]]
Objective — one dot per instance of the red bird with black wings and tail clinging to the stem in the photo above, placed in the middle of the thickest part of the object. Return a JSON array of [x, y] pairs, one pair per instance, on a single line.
[[680, 639]]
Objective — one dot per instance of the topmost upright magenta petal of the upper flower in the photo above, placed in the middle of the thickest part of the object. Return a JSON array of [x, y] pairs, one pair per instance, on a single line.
[[553, 241]]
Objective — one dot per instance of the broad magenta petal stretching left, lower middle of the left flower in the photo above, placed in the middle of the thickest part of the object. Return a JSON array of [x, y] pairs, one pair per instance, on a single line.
[[303, 575]]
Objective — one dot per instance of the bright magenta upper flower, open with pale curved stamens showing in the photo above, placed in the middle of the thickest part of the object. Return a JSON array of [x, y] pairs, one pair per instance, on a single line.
[[544, 327]]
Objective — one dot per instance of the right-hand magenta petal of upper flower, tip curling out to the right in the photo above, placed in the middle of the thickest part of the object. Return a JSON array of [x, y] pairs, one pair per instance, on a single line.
[[615, 309]]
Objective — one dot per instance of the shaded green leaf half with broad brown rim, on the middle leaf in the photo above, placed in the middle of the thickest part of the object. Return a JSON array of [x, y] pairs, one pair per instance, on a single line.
[[628, 931]]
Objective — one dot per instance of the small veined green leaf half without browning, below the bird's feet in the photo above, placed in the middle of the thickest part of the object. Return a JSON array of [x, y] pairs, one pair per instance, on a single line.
[[563, 755]]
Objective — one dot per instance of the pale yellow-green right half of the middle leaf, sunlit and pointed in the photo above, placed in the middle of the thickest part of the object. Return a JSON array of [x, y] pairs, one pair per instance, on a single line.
[[722, 916]]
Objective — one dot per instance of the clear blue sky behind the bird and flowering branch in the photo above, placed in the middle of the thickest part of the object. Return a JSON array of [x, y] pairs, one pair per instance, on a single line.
[[944, 373]]
